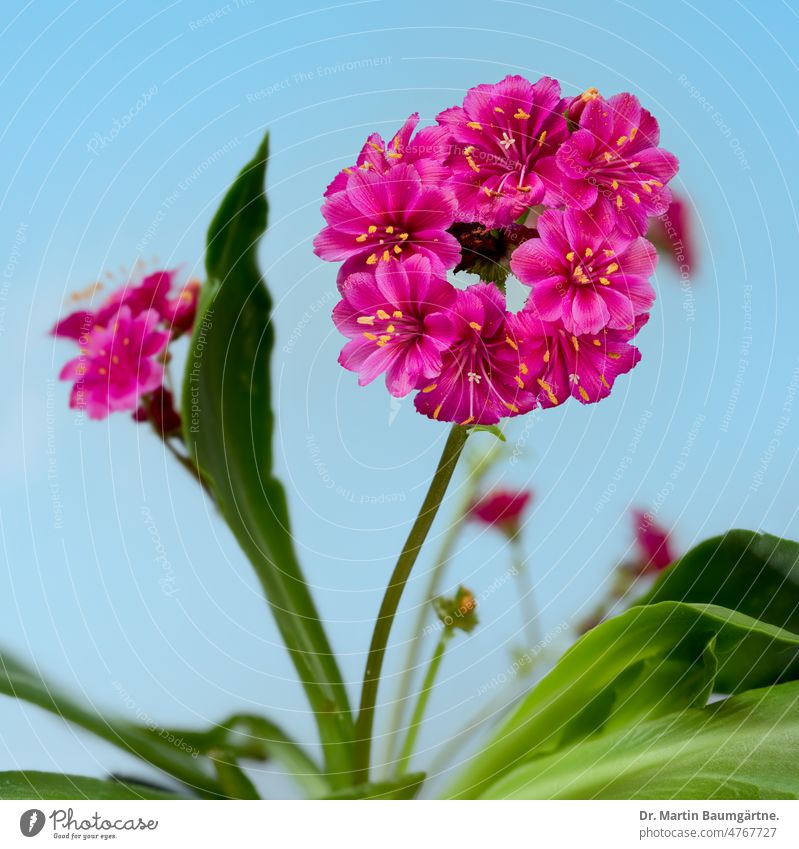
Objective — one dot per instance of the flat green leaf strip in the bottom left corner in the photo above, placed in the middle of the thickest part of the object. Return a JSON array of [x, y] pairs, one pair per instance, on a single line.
[[54, 785]]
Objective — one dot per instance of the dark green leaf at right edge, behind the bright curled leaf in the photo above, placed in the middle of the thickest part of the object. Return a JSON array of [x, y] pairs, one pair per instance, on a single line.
[[756, 574]]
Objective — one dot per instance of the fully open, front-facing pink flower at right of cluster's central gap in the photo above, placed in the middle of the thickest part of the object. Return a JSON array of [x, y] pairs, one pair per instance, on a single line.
[[583, 277]]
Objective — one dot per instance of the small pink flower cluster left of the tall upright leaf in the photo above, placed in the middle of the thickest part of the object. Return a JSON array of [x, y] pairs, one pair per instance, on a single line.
[[123, 349]]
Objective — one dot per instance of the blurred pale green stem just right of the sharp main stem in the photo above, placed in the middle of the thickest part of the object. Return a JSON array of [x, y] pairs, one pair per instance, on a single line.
[[472, 484]]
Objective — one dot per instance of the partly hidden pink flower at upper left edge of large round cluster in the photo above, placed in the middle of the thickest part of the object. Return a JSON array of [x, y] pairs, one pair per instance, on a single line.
[[425, 151]]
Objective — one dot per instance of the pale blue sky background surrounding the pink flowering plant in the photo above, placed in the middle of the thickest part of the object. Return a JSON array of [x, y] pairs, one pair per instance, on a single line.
[[704, 430]]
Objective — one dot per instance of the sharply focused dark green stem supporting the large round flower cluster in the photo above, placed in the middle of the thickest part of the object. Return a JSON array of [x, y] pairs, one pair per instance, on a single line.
[[391, 599]]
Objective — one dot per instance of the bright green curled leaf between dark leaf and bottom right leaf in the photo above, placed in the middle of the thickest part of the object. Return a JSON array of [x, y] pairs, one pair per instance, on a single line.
[[648, 662]]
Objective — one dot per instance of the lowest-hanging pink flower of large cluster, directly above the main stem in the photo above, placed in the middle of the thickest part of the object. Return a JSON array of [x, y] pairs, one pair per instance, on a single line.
[[482, 377]]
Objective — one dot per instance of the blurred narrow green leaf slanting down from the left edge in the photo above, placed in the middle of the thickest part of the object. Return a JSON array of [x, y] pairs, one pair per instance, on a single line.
[[174, 758]]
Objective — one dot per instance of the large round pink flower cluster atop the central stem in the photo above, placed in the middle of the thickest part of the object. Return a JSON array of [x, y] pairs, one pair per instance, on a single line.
[[558, 190]]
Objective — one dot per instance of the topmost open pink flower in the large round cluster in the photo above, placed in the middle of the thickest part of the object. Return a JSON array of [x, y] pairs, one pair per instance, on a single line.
[[502, 137]]
